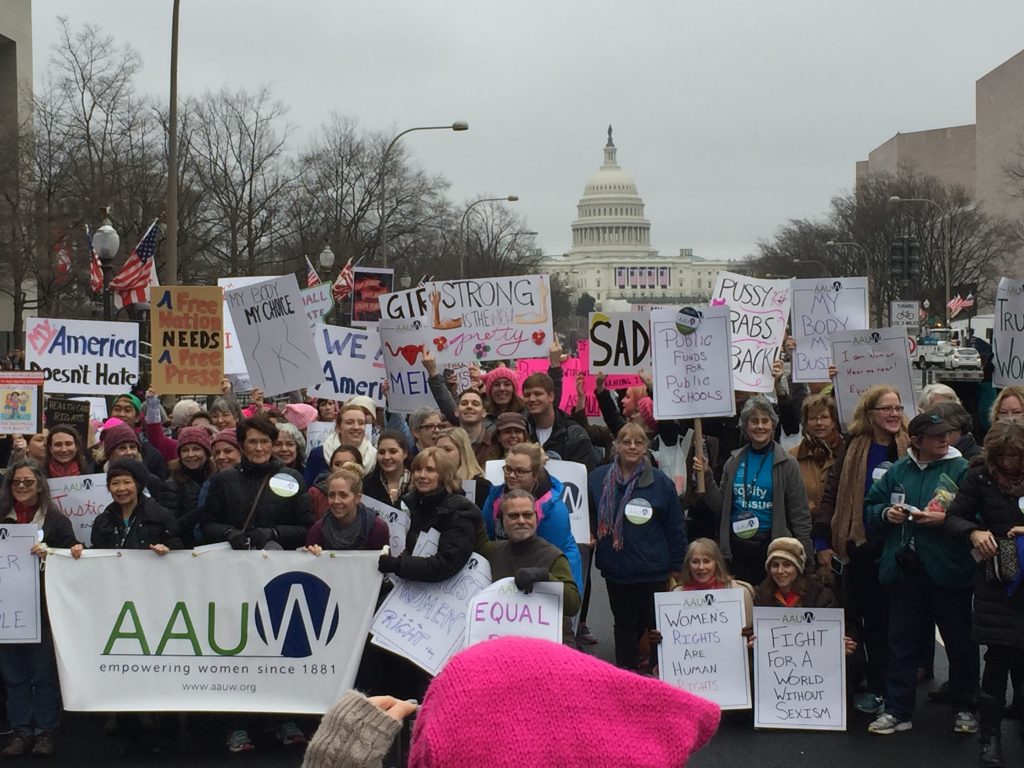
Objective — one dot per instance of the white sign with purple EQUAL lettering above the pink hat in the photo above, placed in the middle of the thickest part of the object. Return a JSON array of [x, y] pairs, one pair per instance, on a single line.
[[502, 611]]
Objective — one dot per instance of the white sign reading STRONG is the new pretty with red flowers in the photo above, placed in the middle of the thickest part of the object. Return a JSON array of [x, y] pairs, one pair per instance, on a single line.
[[490, 319]]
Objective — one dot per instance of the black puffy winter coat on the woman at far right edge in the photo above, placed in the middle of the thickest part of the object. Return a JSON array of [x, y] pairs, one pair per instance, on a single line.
[[980, 505]]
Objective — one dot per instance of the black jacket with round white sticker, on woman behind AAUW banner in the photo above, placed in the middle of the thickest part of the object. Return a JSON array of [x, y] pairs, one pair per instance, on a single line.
[[233, 493]]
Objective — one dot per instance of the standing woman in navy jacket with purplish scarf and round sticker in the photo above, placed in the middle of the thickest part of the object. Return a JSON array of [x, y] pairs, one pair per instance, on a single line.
[[641, 538]]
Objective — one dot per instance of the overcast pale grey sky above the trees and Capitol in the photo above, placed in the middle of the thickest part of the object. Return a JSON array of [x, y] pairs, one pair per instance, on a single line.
[[732, 117]]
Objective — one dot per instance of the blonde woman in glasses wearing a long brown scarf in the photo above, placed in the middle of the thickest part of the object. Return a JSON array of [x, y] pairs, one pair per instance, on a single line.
[[878, 438]]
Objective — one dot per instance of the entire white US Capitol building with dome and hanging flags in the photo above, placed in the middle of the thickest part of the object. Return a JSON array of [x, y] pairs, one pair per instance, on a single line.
[[612, 258]]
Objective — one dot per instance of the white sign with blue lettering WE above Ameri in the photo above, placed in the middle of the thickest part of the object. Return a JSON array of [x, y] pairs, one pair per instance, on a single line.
[[352, 364]]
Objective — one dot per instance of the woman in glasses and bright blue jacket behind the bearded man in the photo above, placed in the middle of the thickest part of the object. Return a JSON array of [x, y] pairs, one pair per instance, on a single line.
[[525, 472]]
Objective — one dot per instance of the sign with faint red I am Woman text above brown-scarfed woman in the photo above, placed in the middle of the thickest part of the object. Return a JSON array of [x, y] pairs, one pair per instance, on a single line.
[[868, 358]]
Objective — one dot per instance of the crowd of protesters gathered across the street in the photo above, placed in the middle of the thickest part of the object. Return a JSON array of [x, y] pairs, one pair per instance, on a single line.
[[880, 517]]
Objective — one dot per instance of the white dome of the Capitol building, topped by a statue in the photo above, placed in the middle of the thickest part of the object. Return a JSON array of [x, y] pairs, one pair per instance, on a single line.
[[610, 216]]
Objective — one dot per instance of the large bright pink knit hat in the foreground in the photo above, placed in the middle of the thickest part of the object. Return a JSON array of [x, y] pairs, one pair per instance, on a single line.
[[607, 716]]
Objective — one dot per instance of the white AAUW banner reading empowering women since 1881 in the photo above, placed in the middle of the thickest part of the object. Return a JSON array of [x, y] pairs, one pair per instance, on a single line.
[[226, 631]]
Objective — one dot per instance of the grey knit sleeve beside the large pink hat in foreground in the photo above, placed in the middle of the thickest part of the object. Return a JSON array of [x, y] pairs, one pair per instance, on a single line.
[[354, 734]]
